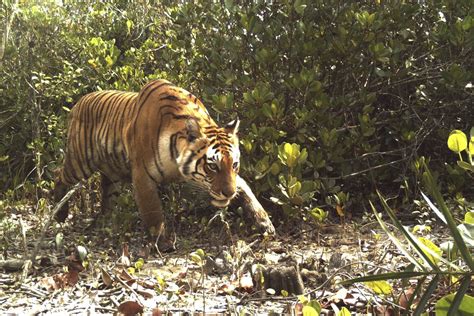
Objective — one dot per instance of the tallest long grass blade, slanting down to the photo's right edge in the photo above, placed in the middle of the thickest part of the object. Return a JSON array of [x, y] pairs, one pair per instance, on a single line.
[[432, 186]]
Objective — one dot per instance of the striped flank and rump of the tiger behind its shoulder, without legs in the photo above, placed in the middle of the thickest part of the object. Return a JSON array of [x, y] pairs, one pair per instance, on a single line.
[[96, 136]]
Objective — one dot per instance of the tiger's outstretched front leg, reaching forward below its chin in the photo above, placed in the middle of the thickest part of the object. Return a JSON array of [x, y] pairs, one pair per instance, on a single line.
[[252, 206]]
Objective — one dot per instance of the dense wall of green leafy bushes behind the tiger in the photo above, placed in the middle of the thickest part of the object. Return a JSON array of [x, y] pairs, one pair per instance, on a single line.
[[355, 91]]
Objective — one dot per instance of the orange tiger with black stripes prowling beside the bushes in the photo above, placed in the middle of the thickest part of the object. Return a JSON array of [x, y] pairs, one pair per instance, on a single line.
[[159, 135]]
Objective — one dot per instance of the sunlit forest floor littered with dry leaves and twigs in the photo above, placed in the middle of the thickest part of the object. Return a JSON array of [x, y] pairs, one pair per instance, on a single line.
[[215, 269]]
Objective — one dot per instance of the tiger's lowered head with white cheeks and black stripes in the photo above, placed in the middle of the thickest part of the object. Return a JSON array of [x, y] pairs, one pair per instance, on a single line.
[[210, 158]]
